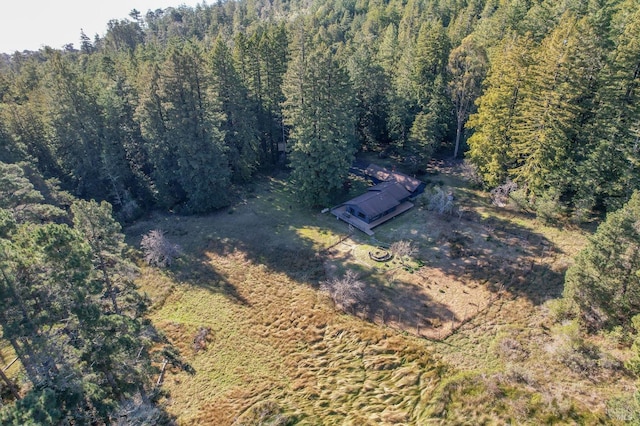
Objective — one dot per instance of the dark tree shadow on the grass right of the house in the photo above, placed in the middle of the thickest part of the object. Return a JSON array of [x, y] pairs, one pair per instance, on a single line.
[[495, 252]]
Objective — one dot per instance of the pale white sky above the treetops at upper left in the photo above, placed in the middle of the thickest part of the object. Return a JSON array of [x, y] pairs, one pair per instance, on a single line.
[[31, 24]]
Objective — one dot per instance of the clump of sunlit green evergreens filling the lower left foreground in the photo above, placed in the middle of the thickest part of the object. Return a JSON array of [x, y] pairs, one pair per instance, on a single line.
[[70, 311]]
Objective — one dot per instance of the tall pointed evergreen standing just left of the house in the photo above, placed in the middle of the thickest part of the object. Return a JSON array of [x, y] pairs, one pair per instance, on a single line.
[[318, 107]]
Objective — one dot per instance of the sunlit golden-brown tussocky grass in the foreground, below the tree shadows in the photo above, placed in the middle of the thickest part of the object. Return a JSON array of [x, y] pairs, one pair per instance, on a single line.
[[285, 343]]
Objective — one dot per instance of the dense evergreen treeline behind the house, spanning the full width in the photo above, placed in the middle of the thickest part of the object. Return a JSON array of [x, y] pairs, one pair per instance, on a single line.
[[171, 108]]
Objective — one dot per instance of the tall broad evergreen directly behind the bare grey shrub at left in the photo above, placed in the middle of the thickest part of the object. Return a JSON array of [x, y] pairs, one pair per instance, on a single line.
[[182, 124]]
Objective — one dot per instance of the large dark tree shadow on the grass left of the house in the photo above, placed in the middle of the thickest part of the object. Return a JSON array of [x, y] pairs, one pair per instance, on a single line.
[[262, 230]]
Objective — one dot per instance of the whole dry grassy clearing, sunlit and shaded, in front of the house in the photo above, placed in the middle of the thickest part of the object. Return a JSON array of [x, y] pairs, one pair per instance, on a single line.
[[462, 332]]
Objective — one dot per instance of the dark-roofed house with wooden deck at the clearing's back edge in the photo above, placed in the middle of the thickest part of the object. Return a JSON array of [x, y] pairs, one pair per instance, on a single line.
[[380, 203]]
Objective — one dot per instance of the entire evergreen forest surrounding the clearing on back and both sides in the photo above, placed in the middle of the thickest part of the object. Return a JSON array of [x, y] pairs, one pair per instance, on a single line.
[[182, 110]]
